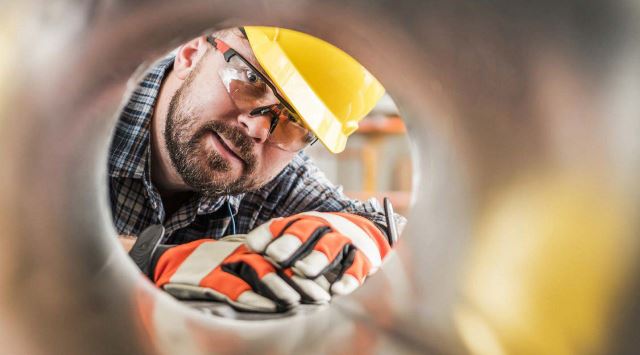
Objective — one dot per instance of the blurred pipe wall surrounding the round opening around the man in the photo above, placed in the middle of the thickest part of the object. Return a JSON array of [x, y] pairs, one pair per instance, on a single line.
[[524, 119]]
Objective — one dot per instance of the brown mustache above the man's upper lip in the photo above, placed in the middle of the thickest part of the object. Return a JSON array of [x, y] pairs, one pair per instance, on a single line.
[[243, 143]]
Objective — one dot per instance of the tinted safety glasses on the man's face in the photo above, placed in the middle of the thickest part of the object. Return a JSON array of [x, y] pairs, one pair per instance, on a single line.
[[253, 94]]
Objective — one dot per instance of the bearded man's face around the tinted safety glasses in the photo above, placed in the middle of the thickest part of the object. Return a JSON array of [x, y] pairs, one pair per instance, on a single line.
[[215, 148]]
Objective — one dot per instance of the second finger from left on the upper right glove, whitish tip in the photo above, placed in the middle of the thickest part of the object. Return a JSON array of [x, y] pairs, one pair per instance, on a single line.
[[296, 242]]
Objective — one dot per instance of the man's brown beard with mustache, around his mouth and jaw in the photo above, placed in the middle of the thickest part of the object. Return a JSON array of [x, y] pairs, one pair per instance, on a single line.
[[205, 170]]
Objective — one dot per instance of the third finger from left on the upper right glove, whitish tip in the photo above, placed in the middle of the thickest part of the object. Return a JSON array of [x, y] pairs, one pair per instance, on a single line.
[[327, 253]]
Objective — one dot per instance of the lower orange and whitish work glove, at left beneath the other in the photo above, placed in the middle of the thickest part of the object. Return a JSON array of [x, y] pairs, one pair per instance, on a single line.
[[223, 270]]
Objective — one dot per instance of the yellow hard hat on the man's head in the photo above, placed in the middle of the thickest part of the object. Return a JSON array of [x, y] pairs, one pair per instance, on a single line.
[[330, 90]]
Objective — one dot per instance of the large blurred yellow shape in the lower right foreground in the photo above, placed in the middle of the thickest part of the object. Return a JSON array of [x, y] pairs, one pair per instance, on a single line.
[[546, 269]]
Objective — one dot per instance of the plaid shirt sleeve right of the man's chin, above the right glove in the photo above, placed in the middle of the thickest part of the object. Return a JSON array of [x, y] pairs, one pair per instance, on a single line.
[[302, 187]]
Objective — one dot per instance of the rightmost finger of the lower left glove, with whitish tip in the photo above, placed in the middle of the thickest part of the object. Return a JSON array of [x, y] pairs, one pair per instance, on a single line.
[[262, 277]]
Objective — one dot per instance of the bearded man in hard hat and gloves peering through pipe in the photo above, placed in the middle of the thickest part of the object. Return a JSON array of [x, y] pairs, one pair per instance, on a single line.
[[208, 146]]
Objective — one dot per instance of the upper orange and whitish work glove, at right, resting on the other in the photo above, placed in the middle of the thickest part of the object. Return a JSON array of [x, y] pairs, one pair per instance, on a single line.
[[329, 253]]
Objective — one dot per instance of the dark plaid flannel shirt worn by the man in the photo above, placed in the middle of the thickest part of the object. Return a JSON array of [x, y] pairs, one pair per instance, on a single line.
[[136, 203]]
